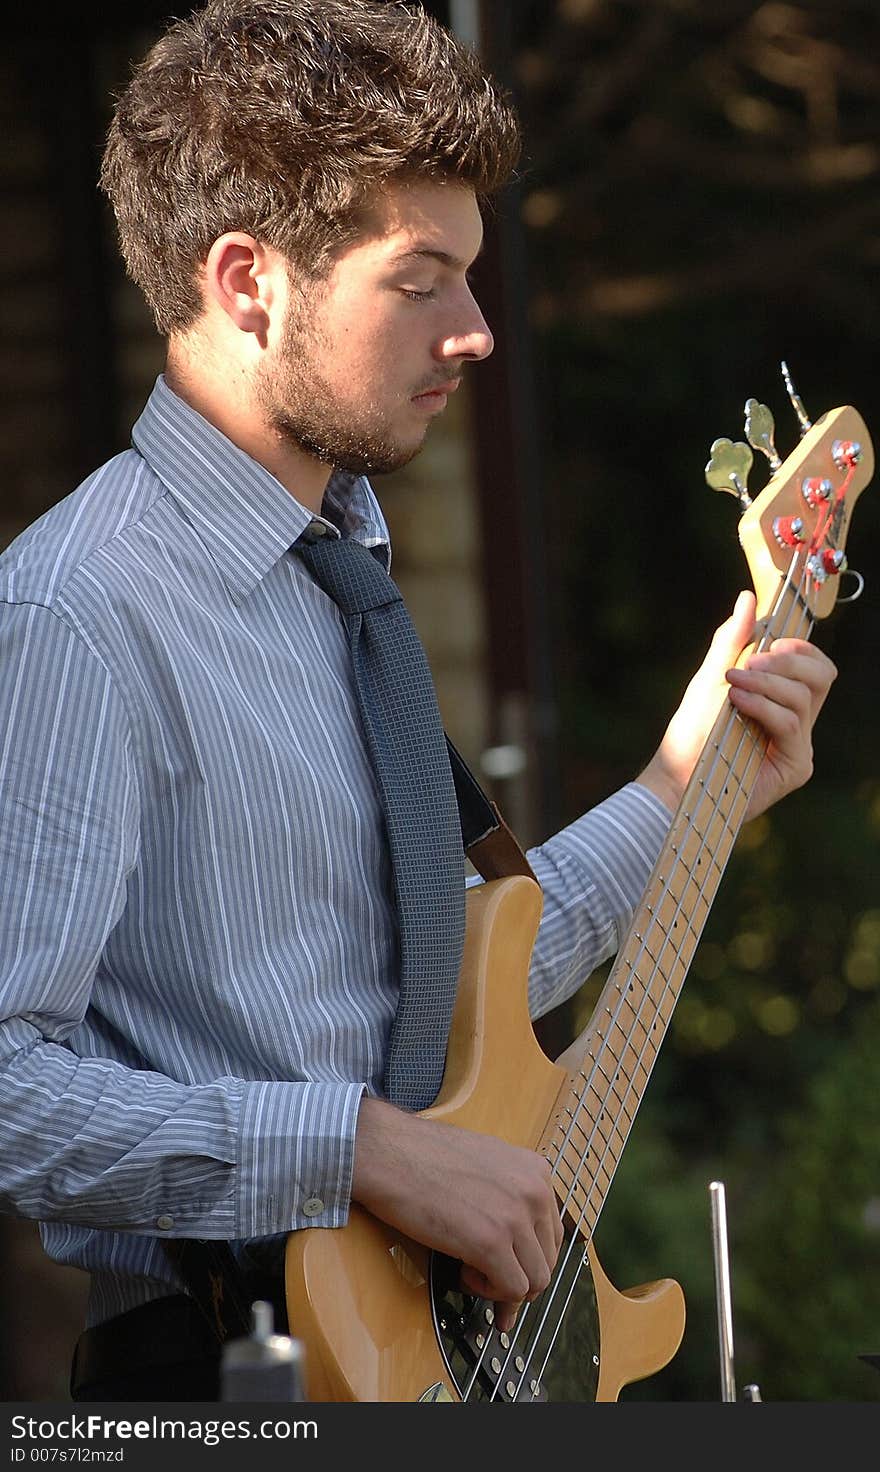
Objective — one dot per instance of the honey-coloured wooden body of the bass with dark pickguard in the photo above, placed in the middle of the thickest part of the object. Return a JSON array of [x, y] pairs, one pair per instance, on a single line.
[[382, 1318]]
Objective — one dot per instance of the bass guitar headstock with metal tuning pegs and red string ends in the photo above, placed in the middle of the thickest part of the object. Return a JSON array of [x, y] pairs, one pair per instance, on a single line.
[[795, 531]]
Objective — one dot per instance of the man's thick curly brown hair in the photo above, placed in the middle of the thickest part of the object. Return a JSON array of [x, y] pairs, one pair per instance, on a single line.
[[283, 118]]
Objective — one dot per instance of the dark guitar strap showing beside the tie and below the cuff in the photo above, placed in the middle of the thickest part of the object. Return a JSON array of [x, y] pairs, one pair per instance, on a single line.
[[210, 1270]]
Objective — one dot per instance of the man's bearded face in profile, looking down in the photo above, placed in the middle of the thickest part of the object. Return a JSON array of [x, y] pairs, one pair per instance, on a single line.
[[370, 355]]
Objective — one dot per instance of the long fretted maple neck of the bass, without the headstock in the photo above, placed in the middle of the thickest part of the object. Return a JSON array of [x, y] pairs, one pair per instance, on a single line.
[[635, 1009]]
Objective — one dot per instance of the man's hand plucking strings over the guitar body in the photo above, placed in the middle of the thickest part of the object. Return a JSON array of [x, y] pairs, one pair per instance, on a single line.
[[473, 1197]]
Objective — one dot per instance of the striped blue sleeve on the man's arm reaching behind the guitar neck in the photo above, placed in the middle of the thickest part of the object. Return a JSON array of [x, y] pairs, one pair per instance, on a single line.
[[594, 875]]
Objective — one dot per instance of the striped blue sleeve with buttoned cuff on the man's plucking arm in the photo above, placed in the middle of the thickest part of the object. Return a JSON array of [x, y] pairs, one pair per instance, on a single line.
[[88, 1140]]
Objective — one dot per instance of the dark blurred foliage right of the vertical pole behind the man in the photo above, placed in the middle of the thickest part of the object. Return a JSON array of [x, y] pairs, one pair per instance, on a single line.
[[703, 199]]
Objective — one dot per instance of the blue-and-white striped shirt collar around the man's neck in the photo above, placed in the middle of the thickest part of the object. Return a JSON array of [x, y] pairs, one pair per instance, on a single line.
[[244, 514]]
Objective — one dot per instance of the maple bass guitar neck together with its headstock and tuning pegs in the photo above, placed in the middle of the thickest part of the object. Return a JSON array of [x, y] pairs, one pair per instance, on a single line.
[[794, 535]]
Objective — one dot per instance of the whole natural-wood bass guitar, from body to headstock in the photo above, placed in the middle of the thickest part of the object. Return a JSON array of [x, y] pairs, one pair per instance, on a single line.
[[385, 1320]]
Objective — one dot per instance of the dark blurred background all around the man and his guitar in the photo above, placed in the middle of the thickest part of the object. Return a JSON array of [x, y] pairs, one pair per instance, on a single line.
[[700, 199]]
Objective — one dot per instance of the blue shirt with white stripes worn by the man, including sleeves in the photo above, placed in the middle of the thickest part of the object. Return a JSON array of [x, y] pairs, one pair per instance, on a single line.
[[198, 953]]
